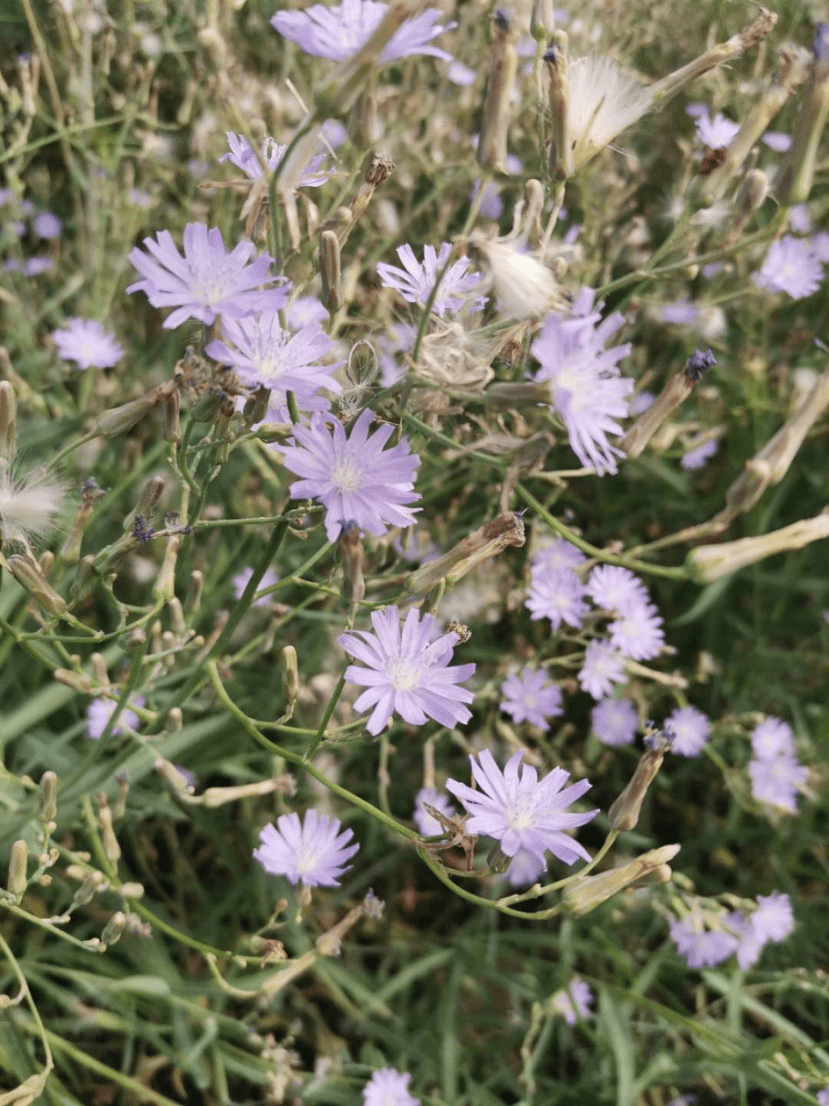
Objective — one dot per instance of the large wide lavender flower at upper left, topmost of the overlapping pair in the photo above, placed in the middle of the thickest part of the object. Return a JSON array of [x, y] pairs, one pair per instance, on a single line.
[[207, 281]]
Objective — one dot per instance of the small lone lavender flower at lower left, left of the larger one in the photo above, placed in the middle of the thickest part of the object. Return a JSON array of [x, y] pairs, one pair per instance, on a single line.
[[313, 852]]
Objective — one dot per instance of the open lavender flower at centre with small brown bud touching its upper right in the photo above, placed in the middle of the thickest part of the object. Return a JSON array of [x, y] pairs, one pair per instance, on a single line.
[[408, 671]]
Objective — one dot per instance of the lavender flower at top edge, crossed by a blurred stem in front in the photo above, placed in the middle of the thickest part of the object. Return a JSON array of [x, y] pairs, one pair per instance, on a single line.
[[340, 33]]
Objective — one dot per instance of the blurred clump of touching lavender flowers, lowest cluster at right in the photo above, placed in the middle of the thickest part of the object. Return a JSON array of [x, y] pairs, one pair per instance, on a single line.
[[706, 940]]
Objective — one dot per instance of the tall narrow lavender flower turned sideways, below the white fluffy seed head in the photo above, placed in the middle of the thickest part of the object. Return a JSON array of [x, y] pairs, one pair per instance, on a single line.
[[587, 389]]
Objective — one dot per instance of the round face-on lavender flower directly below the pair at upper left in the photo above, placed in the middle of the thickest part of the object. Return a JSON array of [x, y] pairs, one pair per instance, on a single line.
[[352, 476]]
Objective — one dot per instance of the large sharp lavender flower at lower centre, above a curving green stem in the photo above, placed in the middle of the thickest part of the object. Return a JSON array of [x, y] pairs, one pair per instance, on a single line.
[[522, 812]]
